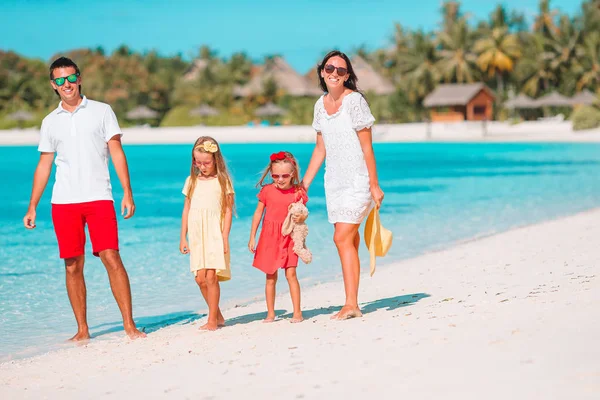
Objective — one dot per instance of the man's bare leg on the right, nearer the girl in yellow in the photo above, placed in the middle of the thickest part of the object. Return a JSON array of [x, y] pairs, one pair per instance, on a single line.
[[119, 284]]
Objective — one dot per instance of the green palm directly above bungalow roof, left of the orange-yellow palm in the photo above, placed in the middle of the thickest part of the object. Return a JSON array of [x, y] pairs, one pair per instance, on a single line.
[[457, 60]]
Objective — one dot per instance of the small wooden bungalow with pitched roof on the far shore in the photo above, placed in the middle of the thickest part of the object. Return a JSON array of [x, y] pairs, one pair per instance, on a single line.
[[460, 102]]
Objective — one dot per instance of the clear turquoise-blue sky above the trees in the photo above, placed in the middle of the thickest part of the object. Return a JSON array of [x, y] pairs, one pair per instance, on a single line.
[[301, 31]]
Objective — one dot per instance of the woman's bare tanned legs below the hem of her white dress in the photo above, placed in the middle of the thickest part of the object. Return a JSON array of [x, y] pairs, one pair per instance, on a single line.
[[346, 240]]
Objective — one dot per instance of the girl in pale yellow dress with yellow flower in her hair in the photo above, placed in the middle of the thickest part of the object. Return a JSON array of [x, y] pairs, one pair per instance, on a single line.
[[206, 221]]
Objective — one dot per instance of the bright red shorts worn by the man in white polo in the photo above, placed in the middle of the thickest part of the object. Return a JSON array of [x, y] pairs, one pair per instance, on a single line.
[[69, 224]]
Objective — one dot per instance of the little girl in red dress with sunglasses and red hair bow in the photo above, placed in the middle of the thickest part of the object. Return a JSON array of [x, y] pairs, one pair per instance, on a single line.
[[274, 251]]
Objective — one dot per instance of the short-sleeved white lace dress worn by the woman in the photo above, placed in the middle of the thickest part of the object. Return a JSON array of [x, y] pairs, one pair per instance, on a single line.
[[347, 190]]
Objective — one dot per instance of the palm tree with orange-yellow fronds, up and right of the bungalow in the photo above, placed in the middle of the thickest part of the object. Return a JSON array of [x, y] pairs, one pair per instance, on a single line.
[[498, 53]]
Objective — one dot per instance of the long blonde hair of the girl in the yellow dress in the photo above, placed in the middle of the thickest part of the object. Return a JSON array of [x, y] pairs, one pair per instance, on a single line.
[[220, 168]]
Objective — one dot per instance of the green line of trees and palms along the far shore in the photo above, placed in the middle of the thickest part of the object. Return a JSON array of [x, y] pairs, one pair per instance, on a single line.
[[508, 52]]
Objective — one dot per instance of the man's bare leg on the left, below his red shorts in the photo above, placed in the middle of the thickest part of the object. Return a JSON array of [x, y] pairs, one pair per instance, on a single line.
[[77, 295]]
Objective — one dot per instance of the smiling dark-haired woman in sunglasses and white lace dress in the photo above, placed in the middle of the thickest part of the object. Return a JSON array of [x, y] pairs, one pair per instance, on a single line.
[[343, 123]]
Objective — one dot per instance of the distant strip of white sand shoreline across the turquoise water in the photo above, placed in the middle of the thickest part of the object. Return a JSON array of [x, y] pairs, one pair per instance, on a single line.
[[536, 131]]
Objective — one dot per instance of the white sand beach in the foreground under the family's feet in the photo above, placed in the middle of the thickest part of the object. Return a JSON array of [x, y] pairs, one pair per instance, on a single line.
[[508, 316]]
